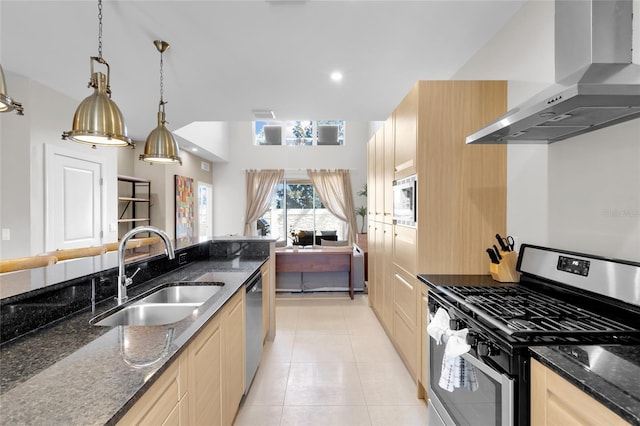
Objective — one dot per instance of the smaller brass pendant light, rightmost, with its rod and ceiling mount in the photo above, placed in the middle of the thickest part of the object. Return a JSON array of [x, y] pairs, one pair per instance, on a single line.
[[161, 145]]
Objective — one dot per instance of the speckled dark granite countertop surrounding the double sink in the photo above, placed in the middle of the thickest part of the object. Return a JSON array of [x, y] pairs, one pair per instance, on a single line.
[[74, 373]]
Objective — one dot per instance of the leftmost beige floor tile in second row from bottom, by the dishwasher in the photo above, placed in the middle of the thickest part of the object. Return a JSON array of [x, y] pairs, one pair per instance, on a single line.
[[269, 385]]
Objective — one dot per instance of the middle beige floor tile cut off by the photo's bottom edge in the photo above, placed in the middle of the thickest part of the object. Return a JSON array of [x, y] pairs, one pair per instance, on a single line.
[[346, 415]]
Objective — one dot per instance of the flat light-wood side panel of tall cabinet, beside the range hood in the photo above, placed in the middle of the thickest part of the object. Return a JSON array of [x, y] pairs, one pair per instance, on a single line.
[[461, 188]]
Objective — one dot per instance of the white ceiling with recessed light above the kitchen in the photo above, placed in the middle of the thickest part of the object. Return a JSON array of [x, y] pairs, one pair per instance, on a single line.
[[230, 57]]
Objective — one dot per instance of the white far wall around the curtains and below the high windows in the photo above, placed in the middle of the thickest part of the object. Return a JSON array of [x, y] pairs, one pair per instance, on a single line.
[[229, 184]]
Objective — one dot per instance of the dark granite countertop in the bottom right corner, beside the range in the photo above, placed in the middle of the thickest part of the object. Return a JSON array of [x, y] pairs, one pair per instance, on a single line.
[[608, 373]]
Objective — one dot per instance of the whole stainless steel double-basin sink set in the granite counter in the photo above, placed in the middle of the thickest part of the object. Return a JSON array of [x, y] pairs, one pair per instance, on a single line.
[[165, 304]]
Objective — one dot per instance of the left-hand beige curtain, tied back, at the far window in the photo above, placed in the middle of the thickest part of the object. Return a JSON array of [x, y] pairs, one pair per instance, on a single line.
[[261, 186]]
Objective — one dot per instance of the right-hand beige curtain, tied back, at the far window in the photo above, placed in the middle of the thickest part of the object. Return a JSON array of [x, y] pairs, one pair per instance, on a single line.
[[334, 189]]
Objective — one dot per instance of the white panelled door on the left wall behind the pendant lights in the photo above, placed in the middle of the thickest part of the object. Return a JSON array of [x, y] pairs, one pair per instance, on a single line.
[[73, 195]]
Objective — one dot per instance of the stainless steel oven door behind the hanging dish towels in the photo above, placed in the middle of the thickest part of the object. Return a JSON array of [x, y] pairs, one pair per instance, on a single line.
[[492, 403]]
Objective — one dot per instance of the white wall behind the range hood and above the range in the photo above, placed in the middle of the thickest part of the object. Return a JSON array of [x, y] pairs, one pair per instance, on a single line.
[[583, 193]]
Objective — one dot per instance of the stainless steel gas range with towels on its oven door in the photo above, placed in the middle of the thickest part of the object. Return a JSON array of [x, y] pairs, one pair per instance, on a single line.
[[563, 298]]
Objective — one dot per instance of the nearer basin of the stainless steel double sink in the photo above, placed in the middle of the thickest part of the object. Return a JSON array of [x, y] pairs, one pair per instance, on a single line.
[[146, 314]]
